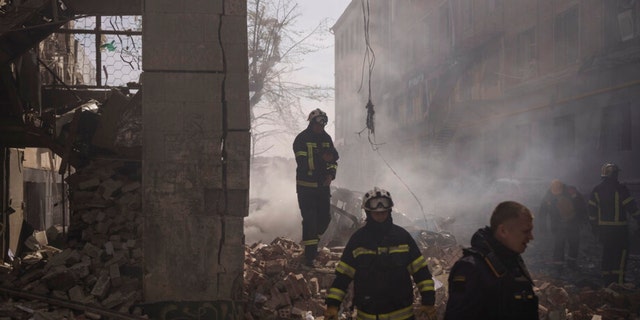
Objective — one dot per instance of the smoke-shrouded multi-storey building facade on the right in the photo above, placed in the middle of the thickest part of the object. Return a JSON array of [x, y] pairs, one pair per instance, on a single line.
[[483, 90]]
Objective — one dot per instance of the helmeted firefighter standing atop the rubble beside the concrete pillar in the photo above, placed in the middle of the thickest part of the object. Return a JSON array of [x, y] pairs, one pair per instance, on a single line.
[[316, 159]]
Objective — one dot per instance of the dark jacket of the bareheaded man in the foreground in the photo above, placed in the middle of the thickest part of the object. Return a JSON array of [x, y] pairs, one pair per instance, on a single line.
[[490, 282]]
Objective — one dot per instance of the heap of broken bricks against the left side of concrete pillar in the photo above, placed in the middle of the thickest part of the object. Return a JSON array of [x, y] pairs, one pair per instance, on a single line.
[[101, 264]]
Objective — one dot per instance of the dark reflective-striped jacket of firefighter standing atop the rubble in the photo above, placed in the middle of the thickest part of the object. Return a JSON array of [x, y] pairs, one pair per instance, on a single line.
[[308, 147]]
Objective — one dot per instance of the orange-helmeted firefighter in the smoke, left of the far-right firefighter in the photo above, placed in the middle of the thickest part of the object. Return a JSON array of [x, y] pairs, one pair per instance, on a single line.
[[562, 211]]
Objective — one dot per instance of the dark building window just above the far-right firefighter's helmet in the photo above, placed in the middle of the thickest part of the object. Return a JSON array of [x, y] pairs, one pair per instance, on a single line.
[[615, 131]]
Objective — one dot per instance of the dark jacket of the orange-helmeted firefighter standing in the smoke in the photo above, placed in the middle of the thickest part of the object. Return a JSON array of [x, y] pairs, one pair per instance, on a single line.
[[560, 211]]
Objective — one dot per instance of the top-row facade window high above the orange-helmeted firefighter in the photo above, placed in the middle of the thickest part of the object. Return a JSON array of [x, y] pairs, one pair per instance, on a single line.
[[566, 35]]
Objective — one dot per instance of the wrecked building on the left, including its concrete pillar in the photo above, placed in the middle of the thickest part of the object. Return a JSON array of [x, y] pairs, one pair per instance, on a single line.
[[72, 111]]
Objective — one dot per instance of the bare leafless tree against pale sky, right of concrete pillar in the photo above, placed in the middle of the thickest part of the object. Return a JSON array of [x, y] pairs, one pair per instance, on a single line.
[[275, 50]]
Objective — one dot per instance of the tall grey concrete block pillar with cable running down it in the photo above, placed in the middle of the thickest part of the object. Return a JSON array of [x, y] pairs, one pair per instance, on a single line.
[[195, 149]]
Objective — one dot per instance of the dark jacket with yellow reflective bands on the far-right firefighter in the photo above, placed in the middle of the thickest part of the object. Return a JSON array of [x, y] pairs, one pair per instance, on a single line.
[[609, 204]]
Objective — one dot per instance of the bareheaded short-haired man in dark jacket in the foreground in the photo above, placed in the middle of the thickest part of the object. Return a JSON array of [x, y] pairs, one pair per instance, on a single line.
[[491, 280]]
